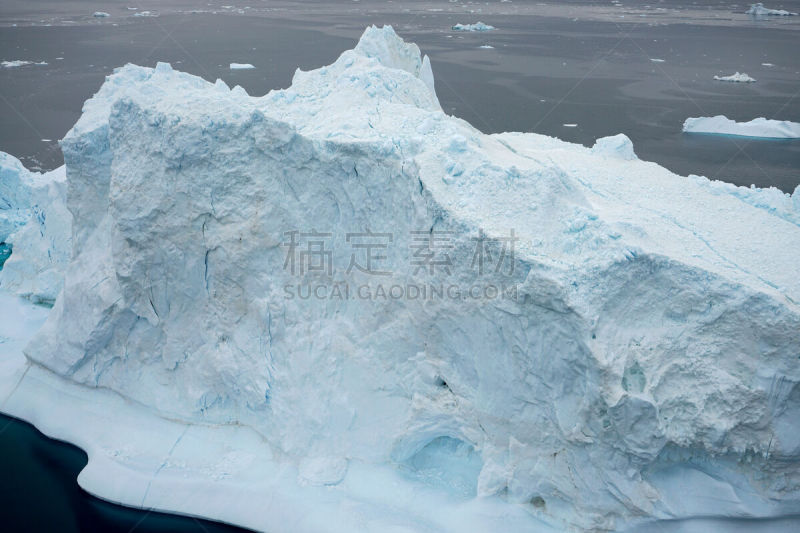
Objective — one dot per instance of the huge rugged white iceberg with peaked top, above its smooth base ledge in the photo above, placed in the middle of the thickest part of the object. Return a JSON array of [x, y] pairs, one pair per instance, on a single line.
[[654, 336]]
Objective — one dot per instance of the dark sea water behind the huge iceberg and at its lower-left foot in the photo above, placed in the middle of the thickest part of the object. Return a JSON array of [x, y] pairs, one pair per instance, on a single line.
[[566, 62]]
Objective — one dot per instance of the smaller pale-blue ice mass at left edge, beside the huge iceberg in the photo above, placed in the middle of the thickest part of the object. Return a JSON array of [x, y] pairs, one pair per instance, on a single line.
[[35, 223]]
